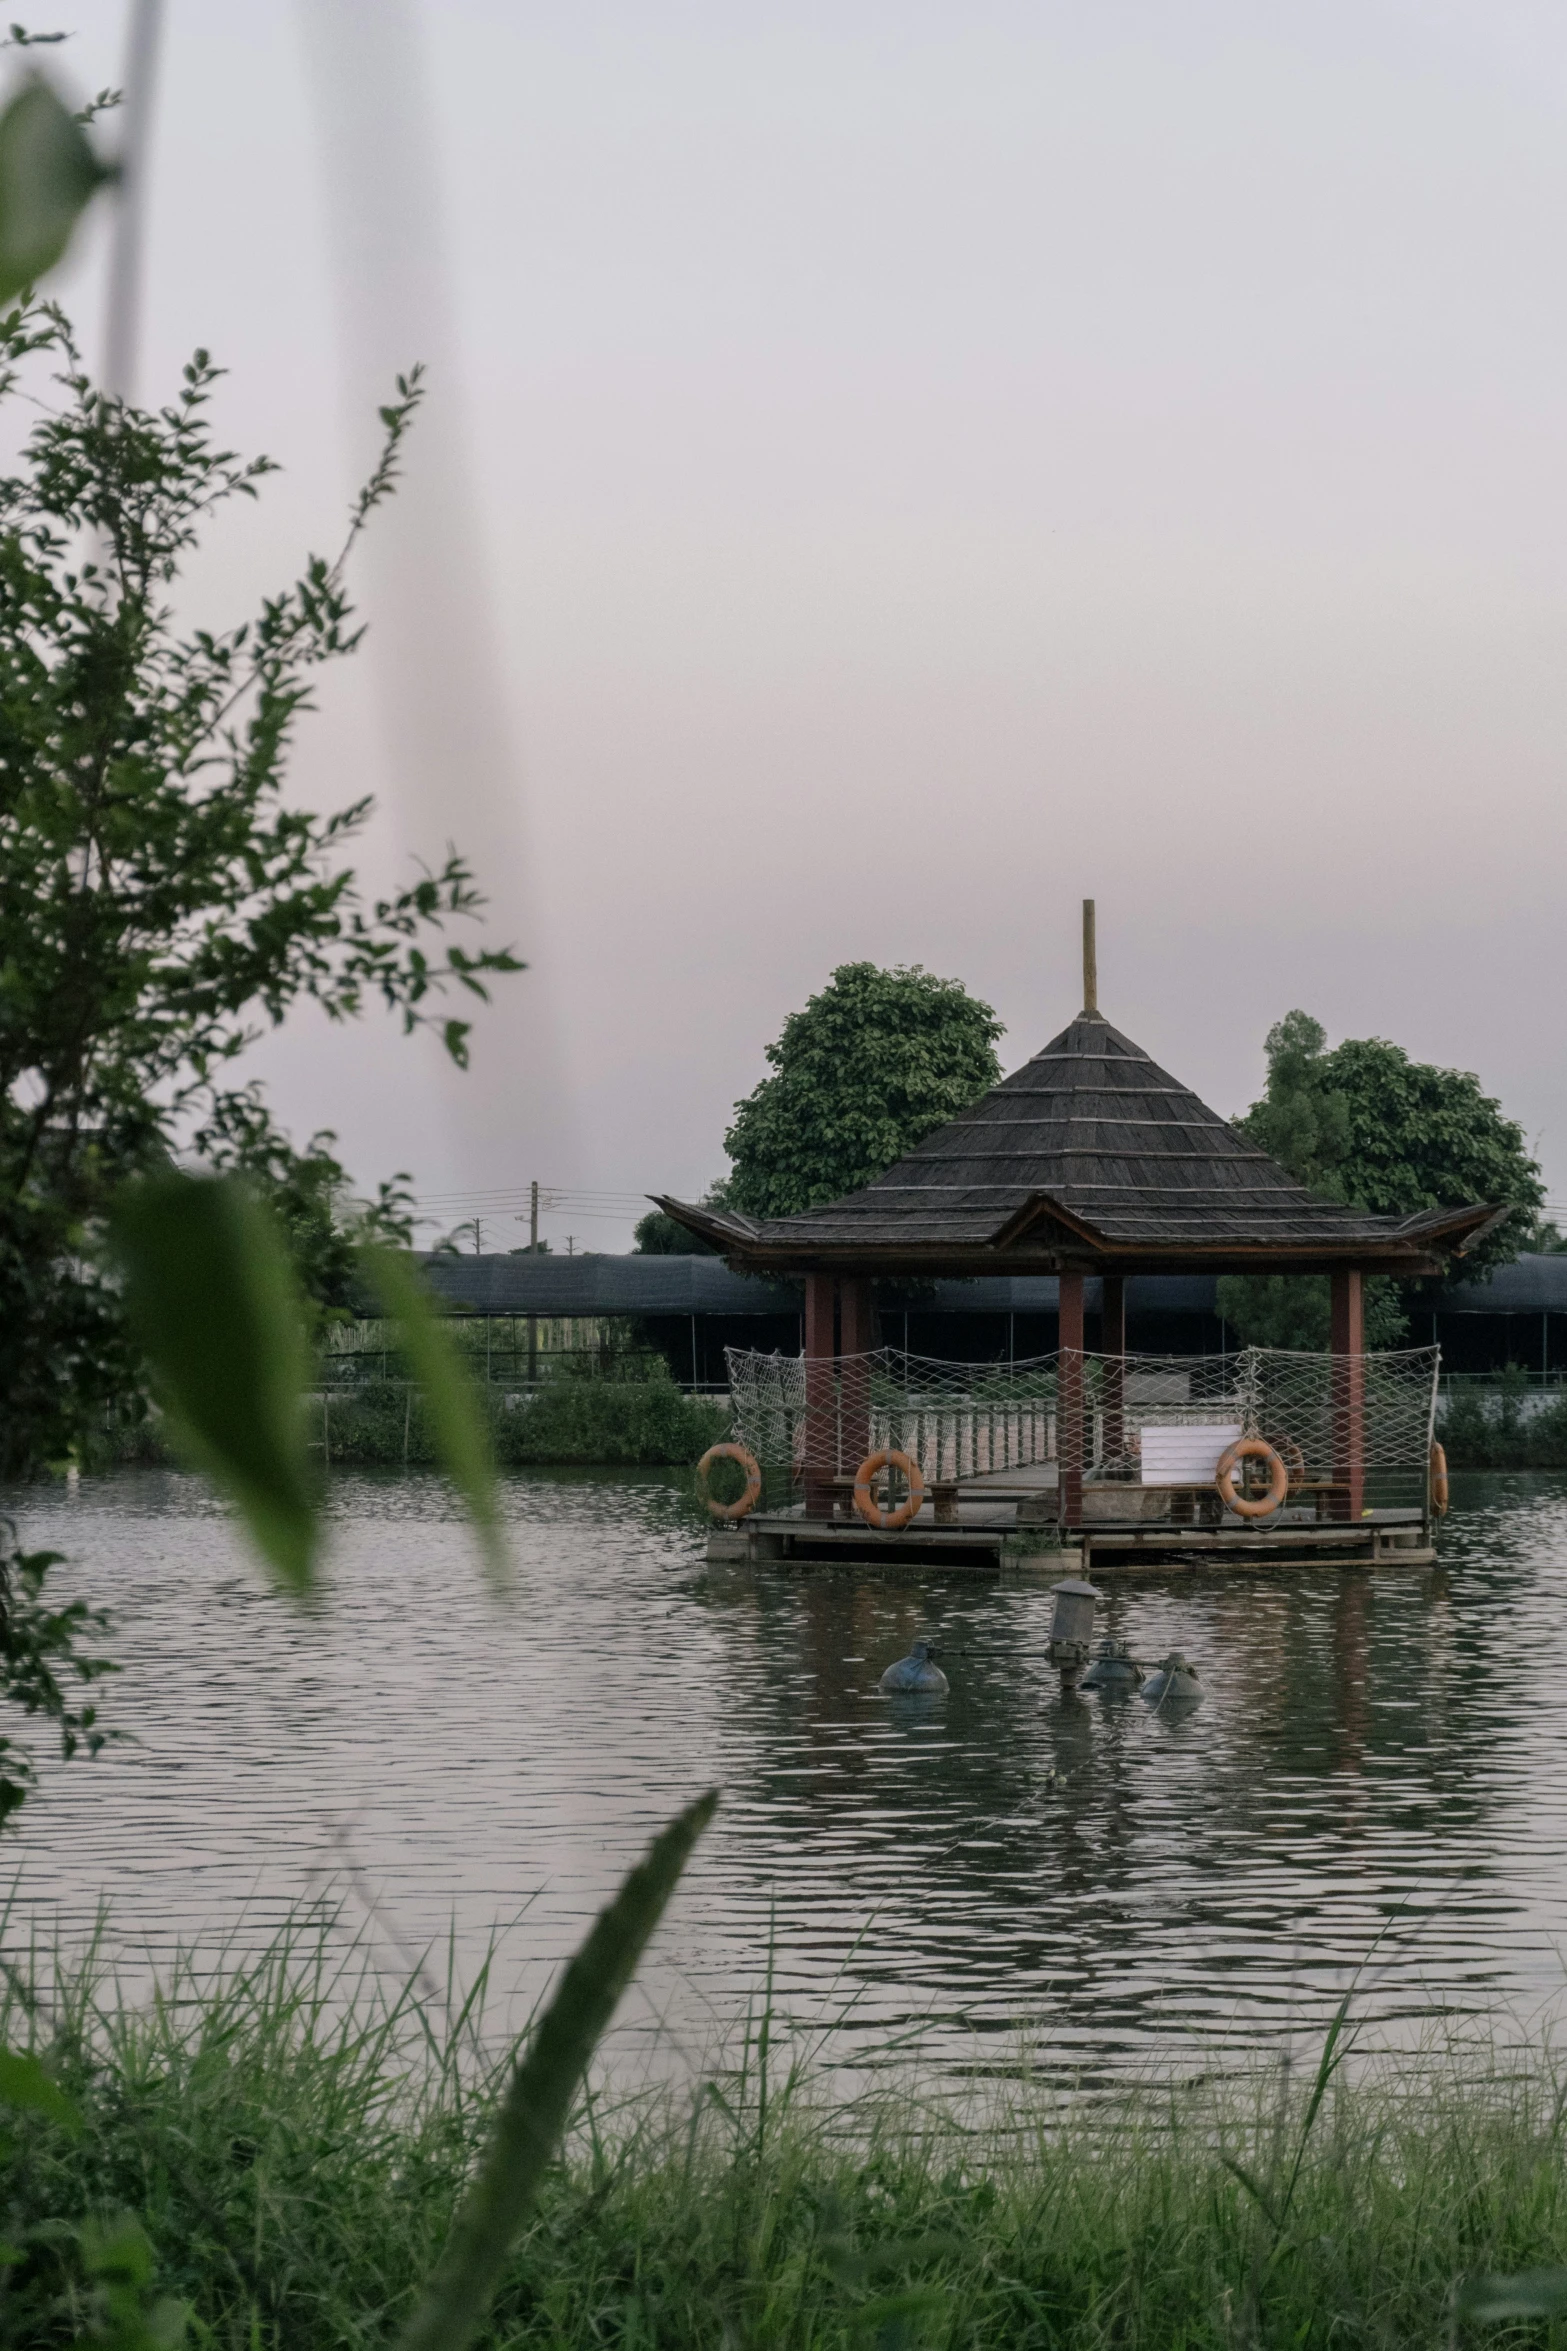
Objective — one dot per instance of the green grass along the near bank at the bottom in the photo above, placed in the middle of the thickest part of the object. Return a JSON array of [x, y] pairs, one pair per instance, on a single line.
[[295, 2152]]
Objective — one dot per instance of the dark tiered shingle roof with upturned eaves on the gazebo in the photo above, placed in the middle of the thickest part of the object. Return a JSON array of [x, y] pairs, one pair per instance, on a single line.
[[1091, 1156]]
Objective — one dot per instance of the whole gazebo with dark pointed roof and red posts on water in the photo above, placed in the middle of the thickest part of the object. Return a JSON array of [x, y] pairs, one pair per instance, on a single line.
[[1087, 1163]]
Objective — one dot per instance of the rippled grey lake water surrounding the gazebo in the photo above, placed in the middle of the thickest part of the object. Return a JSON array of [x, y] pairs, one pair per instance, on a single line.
[[1376, 1781]]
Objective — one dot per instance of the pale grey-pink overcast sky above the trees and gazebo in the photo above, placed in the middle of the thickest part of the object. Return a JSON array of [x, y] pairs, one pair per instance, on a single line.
[[932, 464]]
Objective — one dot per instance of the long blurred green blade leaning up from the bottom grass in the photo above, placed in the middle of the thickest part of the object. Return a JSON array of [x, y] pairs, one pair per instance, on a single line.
[[542, 2091]]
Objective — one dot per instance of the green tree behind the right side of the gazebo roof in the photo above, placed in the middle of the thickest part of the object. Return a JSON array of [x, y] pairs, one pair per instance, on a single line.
[[1371, 1127]]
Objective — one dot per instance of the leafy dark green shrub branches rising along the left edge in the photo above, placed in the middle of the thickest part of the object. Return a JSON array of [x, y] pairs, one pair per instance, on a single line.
[[161, 899]]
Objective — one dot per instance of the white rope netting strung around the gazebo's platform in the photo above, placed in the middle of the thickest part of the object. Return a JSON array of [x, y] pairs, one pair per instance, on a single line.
[[1119, 1419]]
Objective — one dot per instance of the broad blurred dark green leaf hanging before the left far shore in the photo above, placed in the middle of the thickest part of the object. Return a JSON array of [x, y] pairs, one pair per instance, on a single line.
[[217, 1313]]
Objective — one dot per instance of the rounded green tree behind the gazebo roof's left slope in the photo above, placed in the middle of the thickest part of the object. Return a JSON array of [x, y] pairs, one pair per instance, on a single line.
[[861, 1076]]
